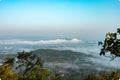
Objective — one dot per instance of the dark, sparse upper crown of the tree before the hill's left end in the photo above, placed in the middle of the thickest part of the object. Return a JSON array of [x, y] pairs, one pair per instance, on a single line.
[[29, 61]]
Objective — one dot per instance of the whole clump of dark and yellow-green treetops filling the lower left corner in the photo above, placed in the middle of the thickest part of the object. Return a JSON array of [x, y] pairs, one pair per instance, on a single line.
[[33, 68]]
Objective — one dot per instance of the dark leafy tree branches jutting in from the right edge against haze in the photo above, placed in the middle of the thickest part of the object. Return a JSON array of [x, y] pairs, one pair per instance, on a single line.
[[111, 45]]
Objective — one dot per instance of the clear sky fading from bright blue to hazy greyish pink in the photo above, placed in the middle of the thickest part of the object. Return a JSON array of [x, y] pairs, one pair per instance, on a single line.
[[83, 18]]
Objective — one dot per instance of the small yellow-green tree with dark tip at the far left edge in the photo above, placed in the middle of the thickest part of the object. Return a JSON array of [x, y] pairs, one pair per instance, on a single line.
[[6, 70]]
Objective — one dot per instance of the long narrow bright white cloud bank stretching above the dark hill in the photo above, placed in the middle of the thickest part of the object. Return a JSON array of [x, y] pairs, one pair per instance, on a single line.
[[56, 41]]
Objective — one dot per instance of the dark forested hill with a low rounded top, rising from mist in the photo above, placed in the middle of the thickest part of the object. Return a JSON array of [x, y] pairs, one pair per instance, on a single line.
[[60, 55]]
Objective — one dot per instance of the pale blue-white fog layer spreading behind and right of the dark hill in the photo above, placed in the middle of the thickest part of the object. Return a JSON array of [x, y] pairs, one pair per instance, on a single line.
[[14, 45]]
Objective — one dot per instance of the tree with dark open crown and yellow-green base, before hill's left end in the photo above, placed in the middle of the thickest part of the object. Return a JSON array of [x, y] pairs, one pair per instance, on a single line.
[[33, 67]]
